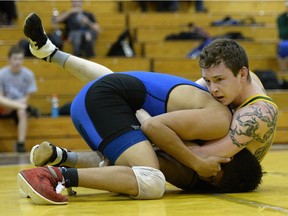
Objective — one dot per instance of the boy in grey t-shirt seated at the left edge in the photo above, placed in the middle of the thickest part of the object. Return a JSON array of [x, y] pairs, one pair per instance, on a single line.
[[16, 84]]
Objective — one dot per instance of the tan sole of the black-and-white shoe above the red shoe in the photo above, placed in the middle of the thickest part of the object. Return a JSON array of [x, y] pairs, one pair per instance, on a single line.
[[41, 154]]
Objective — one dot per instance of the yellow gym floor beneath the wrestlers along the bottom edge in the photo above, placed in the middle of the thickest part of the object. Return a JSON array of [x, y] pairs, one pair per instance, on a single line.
[[269, 199]]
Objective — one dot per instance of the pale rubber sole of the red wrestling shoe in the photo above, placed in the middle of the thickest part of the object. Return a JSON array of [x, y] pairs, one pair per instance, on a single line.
[[27, 191]]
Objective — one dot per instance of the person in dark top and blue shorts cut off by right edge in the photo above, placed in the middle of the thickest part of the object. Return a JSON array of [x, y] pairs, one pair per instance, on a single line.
[[282, 25]]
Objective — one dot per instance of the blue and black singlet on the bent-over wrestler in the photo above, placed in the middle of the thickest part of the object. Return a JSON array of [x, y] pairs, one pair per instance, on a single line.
[[104, 110]]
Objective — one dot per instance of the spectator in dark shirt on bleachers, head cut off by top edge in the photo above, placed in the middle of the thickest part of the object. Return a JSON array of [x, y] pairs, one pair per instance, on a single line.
[[81, 28]]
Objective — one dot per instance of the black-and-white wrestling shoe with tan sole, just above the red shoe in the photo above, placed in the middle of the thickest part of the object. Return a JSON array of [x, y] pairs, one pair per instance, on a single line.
[[47, 154]]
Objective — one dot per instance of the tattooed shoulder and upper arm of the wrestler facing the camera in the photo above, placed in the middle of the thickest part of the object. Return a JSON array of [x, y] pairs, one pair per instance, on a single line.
[[254, 126]]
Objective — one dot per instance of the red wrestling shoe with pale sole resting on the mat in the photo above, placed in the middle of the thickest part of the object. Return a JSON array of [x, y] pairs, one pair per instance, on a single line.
[[43, 185]]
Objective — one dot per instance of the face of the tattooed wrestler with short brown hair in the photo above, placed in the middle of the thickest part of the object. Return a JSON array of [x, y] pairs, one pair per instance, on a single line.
[[222, 84]]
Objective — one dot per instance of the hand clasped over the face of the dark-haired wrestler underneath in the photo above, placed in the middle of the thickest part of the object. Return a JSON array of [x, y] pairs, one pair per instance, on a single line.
[[211, 166]]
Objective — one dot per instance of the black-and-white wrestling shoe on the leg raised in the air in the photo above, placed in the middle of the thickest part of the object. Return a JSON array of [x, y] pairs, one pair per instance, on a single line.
[[40, 45]]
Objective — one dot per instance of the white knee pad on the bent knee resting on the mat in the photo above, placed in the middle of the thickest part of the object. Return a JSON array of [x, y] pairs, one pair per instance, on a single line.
[[151, 182]]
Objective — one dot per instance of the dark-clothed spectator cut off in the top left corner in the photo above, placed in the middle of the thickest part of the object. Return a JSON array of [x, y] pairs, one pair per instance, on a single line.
[[8, 12]]
